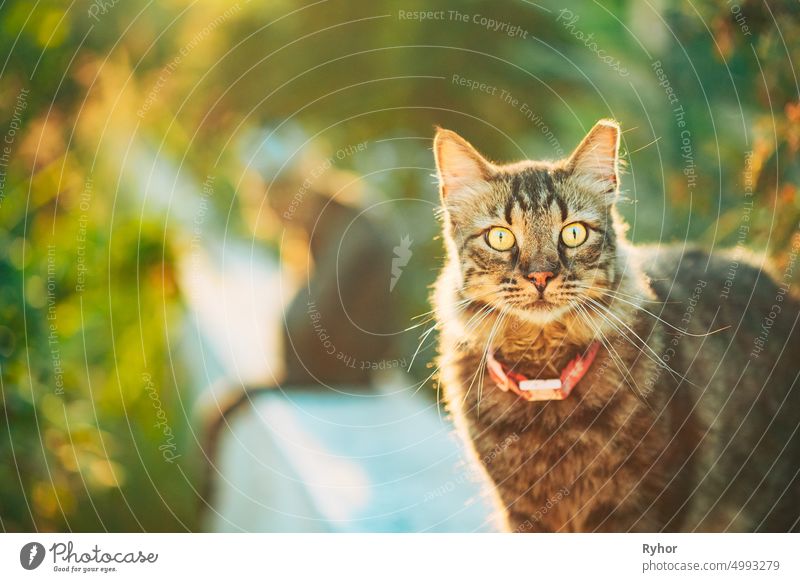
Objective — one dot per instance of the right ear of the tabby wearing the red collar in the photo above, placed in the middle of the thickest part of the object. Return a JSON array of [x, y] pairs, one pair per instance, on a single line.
[[595, 162]]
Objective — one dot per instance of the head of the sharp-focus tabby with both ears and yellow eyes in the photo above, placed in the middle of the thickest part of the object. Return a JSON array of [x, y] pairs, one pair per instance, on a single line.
[[531, 238]]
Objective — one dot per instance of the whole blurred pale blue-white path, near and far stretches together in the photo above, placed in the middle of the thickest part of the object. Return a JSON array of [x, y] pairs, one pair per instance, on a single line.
[[303, 460]]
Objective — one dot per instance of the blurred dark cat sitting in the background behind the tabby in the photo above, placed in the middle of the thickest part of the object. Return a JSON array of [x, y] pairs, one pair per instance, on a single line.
[[348, 252]]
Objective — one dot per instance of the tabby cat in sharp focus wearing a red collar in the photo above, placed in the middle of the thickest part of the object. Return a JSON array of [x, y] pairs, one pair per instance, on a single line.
[[686, 415]]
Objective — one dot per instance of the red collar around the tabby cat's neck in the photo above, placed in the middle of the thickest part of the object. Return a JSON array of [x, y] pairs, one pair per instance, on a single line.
[[545, 389]]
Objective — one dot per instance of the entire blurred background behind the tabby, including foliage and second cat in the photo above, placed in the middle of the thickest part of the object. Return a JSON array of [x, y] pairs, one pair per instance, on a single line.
[[188, 188]]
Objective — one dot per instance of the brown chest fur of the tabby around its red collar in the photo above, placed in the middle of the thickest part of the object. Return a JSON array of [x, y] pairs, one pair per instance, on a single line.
[[538, 450]]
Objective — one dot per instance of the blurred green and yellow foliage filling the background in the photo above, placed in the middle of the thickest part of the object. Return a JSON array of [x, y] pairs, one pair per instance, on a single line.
[[85, 87]]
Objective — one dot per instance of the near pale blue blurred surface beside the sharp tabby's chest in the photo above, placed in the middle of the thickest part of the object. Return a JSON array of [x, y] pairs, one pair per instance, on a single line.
[[321, 461]]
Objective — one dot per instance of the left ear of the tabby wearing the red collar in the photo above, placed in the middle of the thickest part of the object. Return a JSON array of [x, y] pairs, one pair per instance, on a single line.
[[462, 171]]
